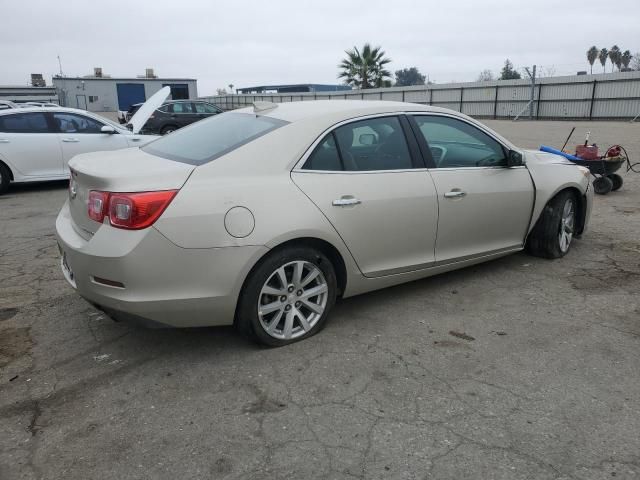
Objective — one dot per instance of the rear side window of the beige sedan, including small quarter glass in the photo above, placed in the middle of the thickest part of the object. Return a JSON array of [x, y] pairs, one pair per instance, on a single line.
[[365, 145]]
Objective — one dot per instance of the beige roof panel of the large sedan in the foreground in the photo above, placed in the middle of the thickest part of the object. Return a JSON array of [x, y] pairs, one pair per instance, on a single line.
[[292, 111]]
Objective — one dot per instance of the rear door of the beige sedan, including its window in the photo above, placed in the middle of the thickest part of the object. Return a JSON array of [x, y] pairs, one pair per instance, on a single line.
[[382, 203]]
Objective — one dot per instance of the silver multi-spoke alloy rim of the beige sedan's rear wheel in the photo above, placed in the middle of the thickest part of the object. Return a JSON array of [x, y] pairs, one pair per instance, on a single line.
[[292, 300]]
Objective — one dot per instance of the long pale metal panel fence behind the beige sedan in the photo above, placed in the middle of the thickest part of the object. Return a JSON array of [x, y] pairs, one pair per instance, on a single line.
[[600, 96]]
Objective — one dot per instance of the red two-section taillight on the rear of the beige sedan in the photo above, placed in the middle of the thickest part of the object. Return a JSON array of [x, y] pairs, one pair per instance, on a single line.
[[132, 211]]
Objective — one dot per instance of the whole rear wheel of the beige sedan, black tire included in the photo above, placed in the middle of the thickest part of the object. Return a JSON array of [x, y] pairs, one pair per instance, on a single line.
[[288, 317]]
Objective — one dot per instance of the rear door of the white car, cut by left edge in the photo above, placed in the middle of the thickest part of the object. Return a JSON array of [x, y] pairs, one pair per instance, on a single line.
[[30, 145]]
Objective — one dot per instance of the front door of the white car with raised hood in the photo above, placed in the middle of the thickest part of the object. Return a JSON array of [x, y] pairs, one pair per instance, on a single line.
[[81, 134]]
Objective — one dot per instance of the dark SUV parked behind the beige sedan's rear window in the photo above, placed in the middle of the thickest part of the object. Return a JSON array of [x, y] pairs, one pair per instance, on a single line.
[[175, 114]]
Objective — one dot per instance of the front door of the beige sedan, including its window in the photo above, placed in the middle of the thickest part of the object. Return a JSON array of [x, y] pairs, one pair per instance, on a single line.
[[484, 207]]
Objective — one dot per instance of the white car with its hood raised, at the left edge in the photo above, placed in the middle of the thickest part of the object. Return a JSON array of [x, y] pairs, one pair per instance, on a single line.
[[37, 143]]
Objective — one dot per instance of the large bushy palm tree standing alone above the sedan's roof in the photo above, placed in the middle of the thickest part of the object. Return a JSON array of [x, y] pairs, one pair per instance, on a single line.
[[366, 69]]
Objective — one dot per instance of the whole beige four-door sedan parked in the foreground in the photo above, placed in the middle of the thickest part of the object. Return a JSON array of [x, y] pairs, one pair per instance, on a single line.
[[264, 216]]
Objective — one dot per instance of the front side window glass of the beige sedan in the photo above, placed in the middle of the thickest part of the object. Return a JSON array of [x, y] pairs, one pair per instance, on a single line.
[[454, 143]]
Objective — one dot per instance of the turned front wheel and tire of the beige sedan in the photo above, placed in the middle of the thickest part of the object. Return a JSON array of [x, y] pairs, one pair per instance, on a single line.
[[552, 235]]
